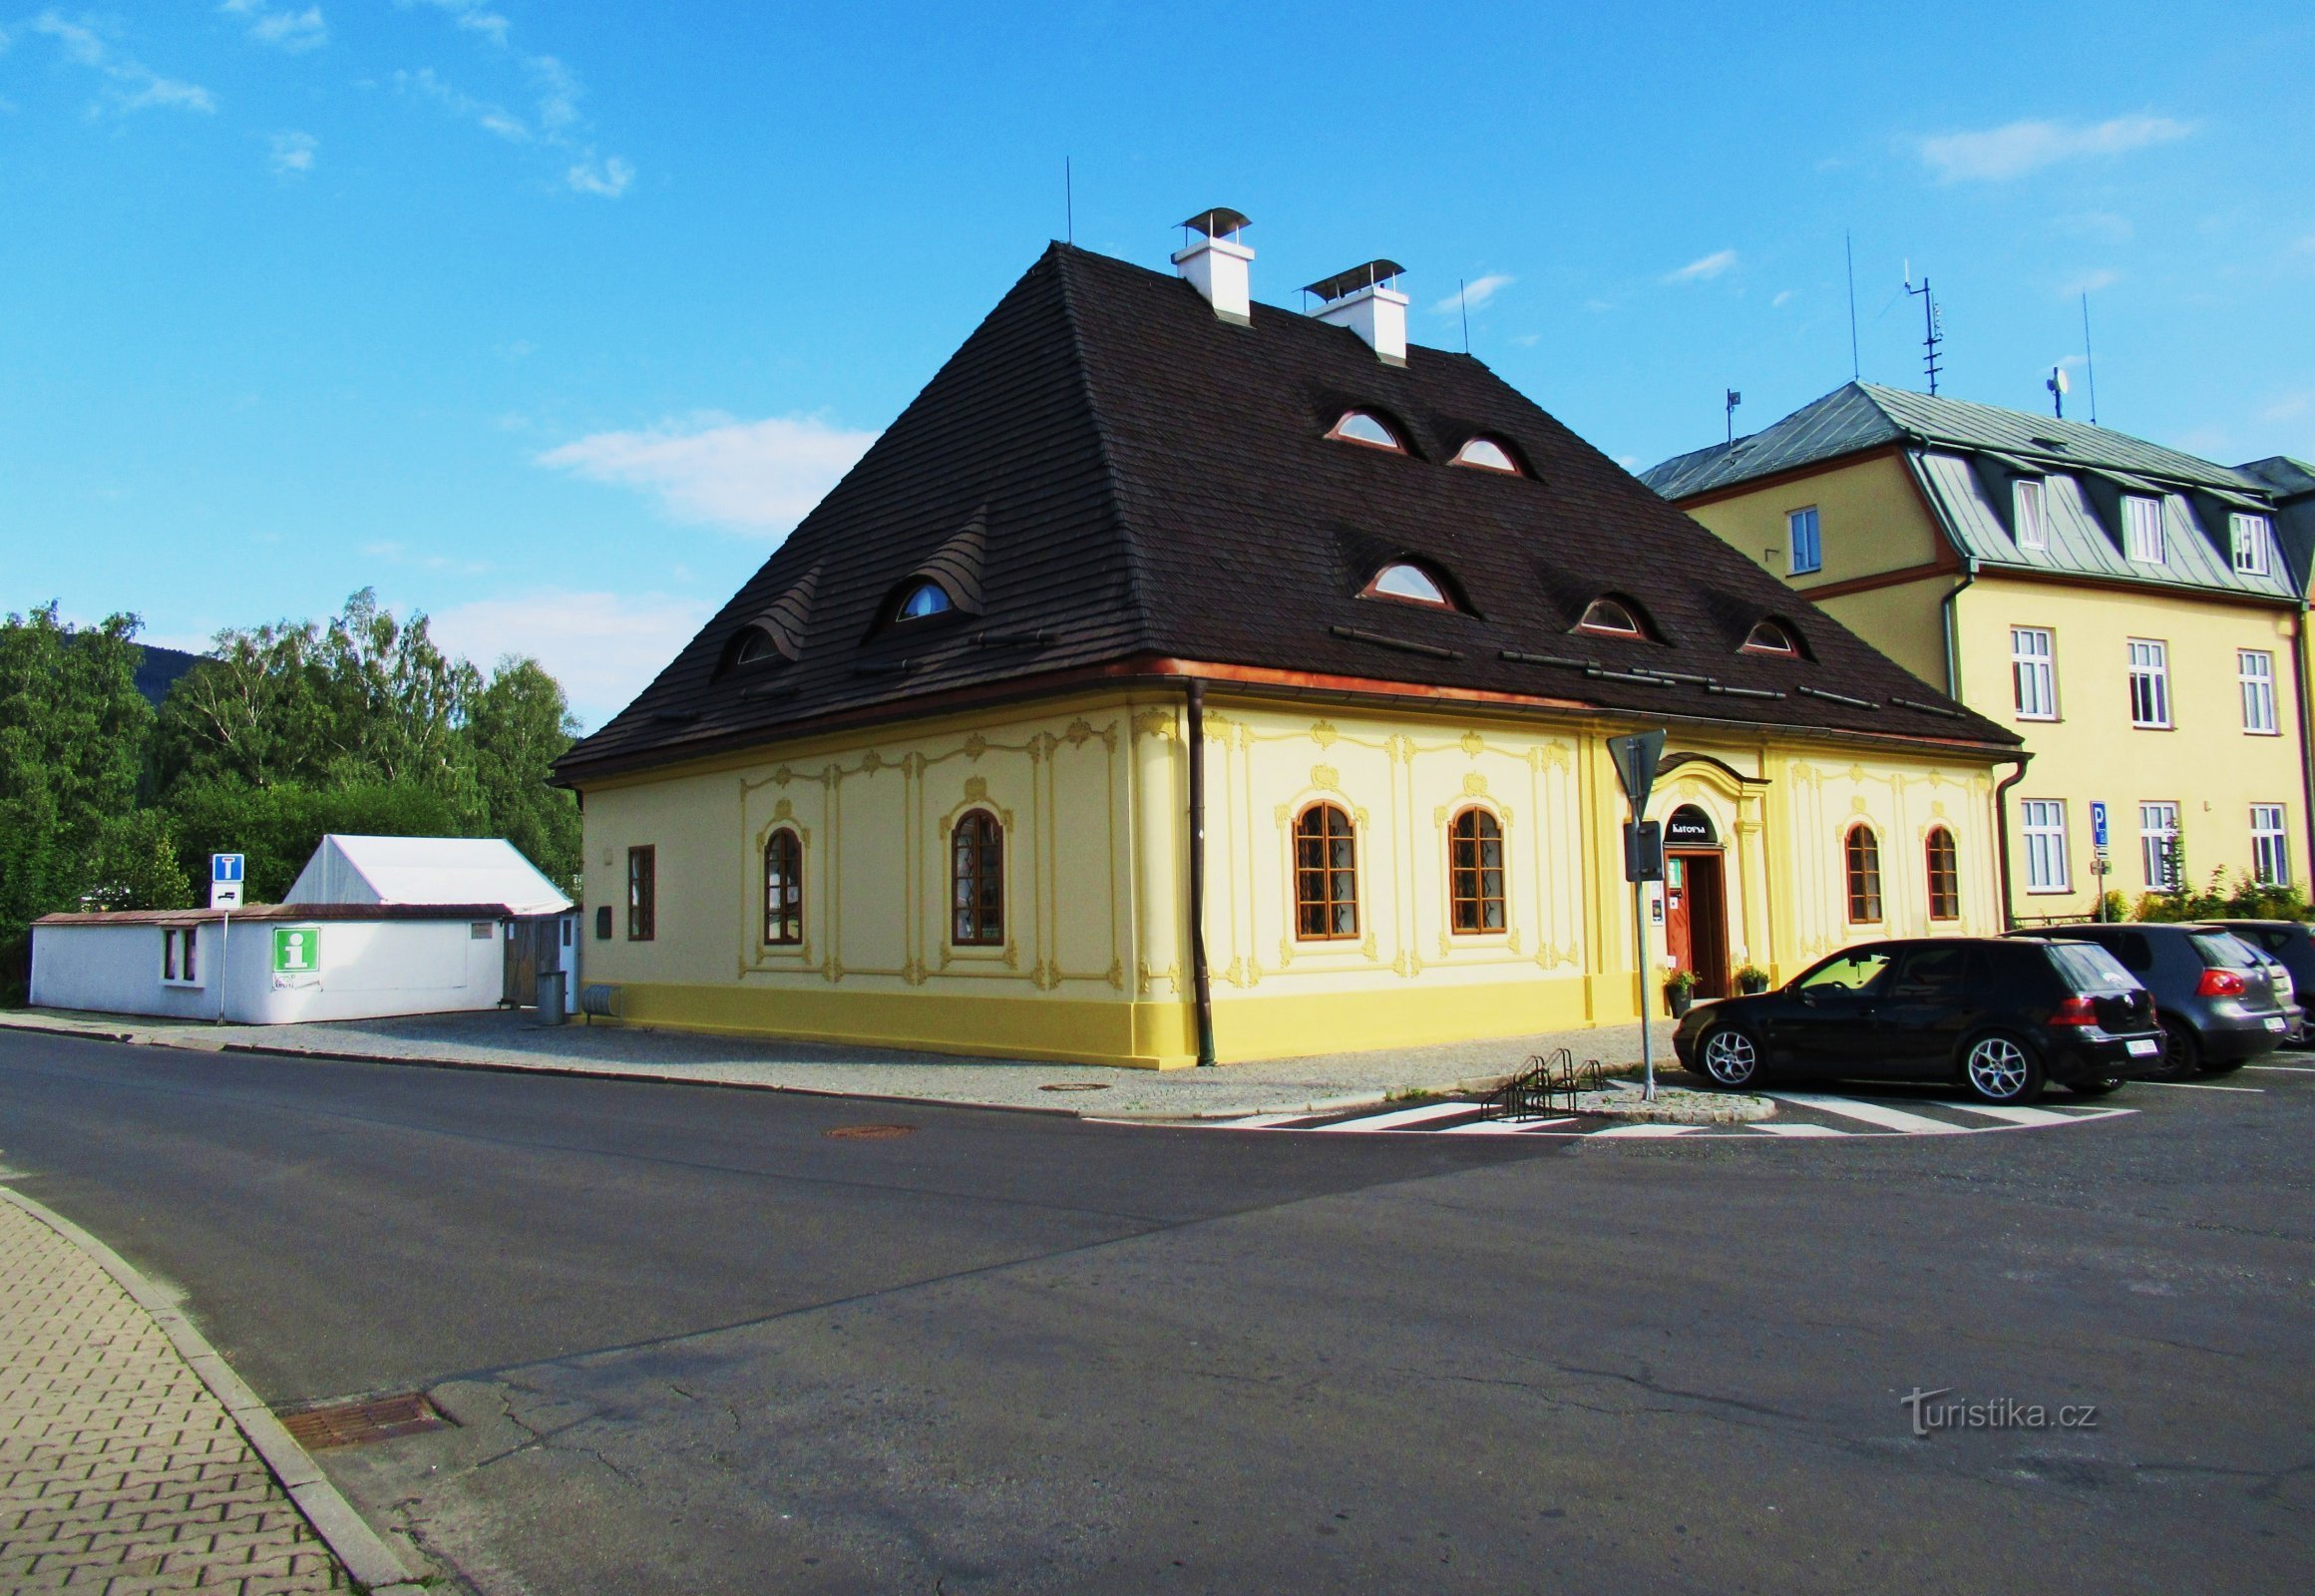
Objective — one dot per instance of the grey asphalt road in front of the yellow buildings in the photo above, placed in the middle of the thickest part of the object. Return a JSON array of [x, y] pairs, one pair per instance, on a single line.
[[698, 1345]]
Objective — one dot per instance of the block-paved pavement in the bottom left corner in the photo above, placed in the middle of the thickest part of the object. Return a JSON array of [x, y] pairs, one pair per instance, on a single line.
[[119, 1470]]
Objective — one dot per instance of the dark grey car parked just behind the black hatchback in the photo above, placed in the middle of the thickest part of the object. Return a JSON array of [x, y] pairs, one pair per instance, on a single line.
[[2217, 997]]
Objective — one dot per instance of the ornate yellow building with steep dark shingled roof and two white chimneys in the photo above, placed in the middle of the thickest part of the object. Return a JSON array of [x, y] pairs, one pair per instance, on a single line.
[[1191, 680]]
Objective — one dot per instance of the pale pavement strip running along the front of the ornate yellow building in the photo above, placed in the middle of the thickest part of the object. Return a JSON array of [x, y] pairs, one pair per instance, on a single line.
[[508, 1041]]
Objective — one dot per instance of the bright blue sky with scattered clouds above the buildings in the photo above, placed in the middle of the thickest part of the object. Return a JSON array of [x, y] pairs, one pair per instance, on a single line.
[[552, 319]]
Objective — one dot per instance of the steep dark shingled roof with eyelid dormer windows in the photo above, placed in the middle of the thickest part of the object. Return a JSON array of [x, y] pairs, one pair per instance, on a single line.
[[1136, 481]]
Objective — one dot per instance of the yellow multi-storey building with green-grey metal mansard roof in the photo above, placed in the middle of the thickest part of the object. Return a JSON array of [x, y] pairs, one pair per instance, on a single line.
[[2129, 610]]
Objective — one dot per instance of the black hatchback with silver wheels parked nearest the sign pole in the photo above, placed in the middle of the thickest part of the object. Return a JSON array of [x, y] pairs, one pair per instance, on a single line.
[[1999, 1018]]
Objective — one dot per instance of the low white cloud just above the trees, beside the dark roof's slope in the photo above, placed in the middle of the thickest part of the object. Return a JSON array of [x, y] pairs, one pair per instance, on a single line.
[[603, 647]]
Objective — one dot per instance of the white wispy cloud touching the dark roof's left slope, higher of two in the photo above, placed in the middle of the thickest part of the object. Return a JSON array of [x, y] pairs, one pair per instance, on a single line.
[[749, 476]]
